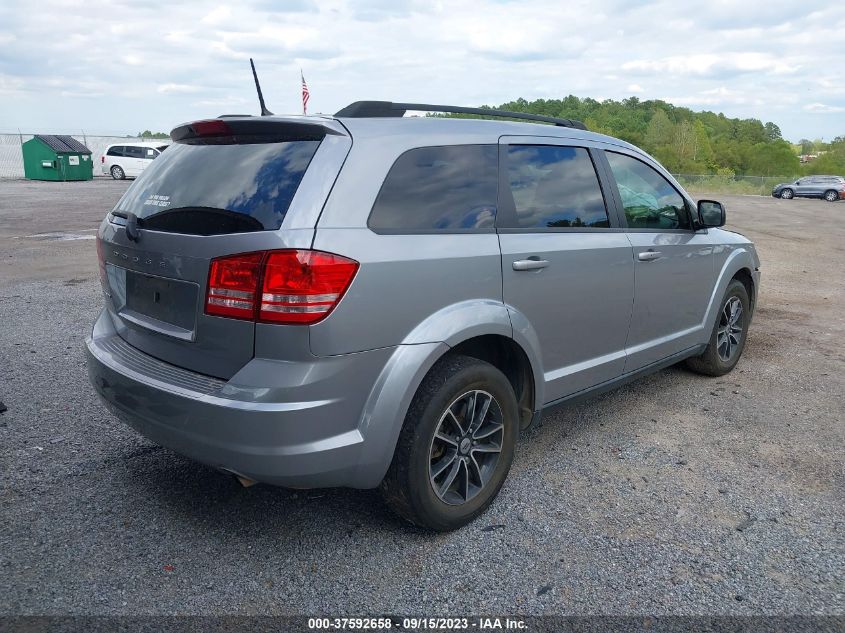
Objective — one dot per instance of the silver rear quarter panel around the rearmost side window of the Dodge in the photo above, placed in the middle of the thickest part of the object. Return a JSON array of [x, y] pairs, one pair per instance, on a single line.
[[403, 279]]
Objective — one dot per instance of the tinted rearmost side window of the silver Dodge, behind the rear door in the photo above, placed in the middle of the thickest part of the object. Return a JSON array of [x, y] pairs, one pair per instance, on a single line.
[[439, 188]]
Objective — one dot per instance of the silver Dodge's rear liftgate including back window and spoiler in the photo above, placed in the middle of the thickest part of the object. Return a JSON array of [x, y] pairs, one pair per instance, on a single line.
[[225, 186]]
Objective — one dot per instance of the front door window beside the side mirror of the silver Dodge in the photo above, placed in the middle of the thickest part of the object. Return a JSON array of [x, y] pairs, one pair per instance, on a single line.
[[649, 200]]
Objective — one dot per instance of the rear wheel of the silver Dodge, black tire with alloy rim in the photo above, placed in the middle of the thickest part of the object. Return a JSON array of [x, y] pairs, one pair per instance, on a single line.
[[456, 445]]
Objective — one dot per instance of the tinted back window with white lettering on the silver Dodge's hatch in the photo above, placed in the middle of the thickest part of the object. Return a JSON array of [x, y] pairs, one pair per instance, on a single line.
[[214, 189]]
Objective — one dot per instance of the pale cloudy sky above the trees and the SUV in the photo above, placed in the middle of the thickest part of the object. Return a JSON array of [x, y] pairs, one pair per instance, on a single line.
[[122, 66]]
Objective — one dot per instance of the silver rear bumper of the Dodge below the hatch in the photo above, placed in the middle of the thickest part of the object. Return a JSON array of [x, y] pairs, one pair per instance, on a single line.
[[260, 431]]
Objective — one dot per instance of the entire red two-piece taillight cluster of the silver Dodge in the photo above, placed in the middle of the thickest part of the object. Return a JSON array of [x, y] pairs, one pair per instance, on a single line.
[[287, 286]]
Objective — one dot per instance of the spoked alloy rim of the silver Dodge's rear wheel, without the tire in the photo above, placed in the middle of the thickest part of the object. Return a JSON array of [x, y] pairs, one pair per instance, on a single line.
[[466, 447]]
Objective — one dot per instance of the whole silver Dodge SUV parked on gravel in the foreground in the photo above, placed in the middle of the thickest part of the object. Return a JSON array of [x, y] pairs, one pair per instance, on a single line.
[[368, 300]]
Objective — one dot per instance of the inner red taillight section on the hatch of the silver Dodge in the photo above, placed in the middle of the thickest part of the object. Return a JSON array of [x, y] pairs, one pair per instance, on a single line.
[[232, 285]]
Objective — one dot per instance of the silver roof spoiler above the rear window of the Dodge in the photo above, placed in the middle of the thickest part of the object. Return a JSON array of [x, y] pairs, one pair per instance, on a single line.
[[248, 129]]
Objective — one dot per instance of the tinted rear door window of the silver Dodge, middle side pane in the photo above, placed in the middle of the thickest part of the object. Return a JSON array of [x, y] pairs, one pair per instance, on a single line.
[[555, 187]]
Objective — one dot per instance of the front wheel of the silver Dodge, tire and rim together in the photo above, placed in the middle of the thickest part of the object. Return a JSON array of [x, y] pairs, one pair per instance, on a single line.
[[729, 334]]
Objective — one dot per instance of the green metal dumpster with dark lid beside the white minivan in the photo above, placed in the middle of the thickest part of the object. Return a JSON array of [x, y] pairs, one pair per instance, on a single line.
[[56, 157]]
